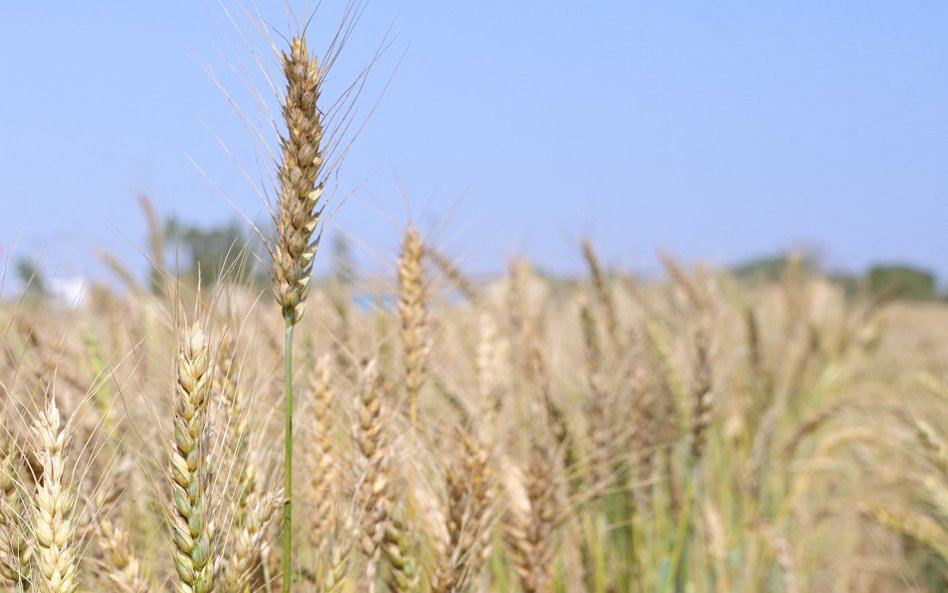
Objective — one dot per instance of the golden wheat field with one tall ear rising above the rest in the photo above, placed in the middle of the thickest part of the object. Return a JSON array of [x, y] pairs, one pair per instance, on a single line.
[[432, 432]]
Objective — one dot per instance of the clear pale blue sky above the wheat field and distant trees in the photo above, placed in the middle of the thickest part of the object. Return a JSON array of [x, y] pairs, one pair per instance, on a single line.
[[717, 130]]
